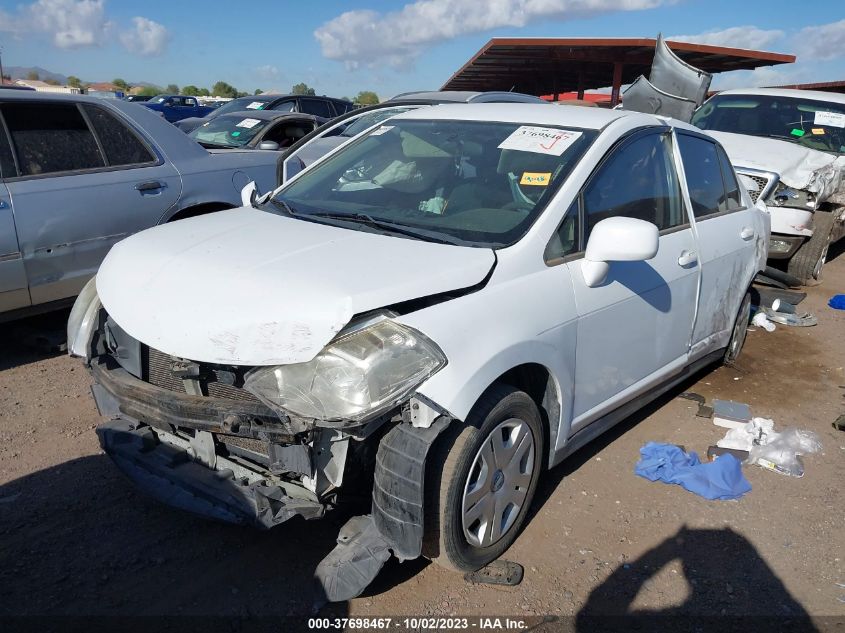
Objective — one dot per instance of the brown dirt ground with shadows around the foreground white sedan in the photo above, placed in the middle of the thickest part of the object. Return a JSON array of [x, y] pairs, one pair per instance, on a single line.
[[76, 539]]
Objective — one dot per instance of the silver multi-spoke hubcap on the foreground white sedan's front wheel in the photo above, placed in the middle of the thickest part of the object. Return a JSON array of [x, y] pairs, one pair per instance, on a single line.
[[498, 483]]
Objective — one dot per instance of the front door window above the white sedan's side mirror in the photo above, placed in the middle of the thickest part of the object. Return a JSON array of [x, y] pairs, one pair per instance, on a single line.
[[637, 181]]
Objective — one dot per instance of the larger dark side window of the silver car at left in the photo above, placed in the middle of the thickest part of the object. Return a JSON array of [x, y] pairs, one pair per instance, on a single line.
[[51, 138]]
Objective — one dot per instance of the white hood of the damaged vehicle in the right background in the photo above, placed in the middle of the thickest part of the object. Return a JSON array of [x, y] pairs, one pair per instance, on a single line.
[[798, 167]]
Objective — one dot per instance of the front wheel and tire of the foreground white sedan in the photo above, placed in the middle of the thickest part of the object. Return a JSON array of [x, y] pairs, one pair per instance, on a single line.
[[463, 460]]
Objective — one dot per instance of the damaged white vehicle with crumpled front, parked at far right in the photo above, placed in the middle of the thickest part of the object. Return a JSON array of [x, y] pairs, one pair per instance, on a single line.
[[789, 148]]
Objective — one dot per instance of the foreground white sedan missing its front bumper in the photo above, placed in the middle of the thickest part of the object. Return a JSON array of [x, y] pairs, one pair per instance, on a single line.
[[439, 310]]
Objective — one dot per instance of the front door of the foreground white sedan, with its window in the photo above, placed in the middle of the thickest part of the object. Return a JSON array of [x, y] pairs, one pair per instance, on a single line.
[[634, 329]]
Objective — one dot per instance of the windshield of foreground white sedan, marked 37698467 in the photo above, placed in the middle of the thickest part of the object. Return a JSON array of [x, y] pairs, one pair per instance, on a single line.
[[476, 183]]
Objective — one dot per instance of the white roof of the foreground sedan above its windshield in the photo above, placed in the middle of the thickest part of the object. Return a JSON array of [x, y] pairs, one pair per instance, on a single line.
[[535, 114]]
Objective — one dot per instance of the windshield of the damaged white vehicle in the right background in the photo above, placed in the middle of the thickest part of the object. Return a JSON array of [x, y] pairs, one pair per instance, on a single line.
[[808, 122]]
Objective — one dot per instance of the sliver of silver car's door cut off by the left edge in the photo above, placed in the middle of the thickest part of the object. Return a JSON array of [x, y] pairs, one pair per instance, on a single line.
[[13, 287]]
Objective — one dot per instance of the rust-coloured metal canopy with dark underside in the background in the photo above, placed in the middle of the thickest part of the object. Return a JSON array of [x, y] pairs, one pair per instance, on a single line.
[[553, 65]]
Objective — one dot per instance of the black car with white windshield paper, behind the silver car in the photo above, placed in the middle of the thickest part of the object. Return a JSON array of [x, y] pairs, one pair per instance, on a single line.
[[255, 129]]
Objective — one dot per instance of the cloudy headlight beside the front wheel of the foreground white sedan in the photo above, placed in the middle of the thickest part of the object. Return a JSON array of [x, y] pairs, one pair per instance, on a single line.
[[358, 375]]
